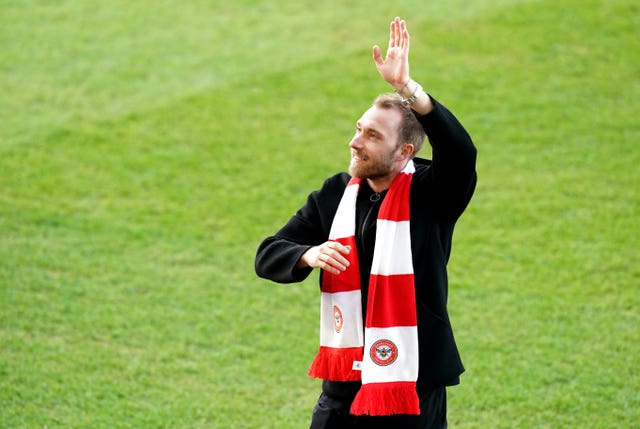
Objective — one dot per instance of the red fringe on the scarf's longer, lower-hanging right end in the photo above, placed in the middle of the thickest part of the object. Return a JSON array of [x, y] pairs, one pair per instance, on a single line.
[[382, 399]]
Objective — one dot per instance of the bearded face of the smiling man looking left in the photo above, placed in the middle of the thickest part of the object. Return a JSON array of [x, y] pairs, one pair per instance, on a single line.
[[374, 146]]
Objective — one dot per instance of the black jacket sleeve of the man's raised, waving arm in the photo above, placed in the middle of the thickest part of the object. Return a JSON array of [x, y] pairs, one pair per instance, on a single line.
[[452, 175]]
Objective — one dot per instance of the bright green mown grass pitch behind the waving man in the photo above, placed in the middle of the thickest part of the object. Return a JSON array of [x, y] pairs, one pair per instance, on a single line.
[[146, 148]]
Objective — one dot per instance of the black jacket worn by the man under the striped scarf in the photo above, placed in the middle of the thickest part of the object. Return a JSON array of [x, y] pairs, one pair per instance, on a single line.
[[440, 191]]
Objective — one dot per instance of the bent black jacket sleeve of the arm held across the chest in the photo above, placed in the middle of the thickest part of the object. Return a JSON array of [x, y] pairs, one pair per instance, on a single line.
[[278, 255]]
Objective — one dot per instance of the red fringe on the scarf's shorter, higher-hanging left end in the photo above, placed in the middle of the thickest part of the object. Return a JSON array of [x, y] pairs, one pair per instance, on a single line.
[[336, 364]]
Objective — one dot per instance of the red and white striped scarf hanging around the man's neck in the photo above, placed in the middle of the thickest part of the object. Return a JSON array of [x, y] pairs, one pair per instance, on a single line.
[[383, 355]]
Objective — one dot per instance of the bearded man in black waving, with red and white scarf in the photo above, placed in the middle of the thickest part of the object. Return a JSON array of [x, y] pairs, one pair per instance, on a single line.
[[381, 237]]
